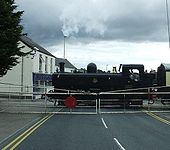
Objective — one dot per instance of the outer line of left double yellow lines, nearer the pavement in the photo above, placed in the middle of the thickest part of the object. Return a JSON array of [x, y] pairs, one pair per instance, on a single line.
[[7, 146]]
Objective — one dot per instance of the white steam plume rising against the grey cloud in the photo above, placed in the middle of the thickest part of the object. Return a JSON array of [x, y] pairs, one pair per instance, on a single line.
[[84, 16]]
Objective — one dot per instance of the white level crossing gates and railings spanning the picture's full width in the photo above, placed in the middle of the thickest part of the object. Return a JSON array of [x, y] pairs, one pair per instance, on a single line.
[[14, 101]]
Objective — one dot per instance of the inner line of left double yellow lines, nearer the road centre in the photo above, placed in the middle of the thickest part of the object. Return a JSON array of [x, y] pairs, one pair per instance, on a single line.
[[29, 133]]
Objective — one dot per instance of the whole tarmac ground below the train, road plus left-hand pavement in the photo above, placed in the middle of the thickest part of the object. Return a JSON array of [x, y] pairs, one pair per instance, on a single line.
[[41, 125]]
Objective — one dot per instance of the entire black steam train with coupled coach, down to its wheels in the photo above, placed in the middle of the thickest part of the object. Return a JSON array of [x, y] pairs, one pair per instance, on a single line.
[[92, 84]]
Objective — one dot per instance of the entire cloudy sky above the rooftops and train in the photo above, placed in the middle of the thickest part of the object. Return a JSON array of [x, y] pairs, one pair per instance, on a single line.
[[106, 32]]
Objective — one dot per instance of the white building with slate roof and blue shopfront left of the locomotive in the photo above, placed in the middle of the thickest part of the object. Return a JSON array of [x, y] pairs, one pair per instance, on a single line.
[[34, 72]]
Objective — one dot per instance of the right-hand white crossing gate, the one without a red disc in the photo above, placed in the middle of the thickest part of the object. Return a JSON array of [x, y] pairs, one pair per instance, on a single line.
[[136, 100]]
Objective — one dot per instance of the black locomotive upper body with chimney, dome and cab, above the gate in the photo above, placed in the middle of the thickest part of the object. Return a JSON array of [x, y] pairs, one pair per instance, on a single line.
[[132, 76]]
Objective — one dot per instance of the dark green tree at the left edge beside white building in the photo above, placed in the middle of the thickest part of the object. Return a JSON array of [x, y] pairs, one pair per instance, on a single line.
[[10, 33]]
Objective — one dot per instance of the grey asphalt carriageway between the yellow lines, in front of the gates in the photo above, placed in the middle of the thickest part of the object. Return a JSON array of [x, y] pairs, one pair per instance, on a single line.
[[99, 132]]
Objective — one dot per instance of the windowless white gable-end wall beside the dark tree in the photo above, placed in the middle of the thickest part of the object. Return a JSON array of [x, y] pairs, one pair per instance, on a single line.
[[14, 76]]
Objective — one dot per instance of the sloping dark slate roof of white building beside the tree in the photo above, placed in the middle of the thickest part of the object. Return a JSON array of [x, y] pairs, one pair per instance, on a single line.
[[27, 41]]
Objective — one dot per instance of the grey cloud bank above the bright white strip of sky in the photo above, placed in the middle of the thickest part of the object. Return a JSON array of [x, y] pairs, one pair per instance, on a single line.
[[129, 20]]
